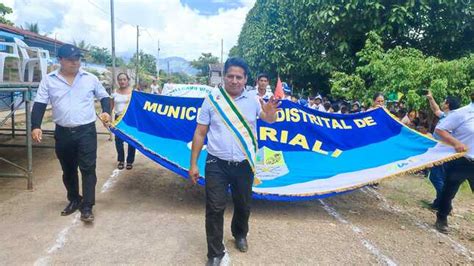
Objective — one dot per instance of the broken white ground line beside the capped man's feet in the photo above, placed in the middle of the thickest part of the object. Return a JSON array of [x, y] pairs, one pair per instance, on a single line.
[[61, 239]]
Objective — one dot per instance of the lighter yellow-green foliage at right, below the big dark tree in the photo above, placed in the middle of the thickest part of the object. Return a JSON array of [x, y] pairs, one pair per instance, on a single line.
[[405, 70]]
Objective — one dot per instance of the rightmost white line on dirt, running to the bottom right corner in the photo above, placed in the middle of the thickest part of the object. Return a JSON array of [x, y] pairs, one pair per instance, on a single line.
[[458, 247]]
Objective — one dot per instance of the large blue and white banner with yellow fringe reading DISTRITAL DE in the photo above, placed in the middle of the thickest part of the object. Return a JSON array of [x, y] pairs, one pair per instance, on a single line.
[[304, 154]]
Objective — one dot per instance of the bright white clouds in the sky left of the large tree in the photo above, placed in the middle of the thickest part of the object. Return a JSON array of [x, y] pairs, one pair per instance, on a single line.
[[181, 30]]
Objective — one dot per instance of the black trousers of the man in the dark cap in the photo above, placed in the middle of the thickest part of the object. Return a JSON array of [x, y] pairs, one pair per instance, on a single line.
[[77, 147]]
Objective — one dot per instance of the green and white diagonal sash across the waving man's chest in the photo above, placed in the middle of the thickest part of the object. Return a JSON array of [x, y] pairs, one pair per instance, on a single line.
[[236, 123]]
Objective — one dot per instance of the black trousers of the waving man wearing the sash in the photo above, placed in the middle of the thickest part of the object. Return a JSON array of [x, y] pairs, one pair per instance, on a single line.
[[220, 175]]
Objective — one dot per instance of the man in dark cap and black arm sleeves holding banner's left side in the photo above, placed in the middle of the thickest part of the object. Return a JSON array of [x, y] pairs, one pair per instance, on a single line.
[[71, 92]]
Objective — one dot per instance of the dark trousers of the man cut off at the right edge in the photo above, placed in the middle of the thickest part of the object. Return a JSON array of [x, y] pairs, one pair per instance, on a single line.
[[457, 172]]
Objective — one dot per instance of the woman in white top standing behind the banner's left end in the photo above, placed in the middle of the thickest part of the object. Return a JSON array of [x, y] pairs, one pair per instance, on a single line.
[[119, 102]]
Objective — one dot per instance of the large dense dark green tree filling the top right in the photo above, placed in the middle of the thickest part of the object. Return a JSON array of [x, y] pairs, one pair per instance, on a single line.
[[305, 41]]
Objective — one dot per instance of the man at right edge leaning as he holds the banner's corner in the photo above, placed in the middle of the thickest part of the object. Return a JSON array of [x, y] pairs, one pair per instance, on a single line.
[[457, 129]]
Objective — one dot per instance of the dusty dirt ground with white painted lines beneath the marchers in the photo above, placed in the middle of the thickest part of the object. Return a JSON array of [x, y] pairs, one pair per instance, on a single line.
[[150, 216]]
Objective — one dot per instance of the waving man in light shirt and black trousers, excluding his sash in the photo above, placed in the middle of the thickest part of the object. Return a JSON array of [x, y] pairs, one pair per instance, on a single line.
[[226, 163]]
